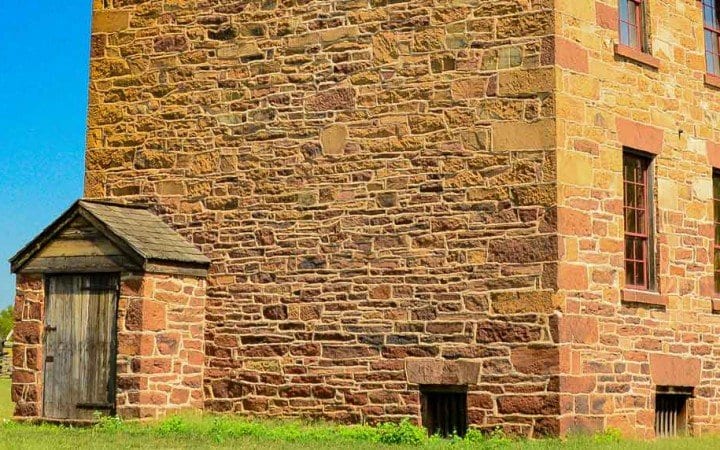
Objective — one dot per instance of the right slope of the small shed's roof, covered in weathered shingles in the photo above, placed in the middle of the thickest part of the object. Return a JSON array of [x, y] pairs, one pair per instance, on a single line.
[[145, 233]]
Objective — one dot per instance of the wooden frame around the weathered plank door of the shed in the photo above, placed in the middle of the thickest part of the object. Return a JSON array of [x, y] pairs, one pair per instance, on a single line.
[[112, 375]]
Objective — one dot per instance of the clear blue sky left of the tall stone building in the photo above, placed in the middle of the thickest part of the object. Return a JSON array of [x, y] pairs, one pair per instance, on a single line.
[[44, 54]]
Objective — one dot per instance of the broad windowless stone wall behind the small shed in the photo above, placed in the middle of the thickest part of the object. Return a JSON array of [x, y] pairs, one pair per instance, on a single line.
[[373, 180]]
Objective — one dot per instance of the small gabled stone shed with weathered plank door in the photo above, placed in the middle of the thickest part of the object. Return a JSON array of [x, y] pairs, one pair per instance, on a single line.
[[111, 305]]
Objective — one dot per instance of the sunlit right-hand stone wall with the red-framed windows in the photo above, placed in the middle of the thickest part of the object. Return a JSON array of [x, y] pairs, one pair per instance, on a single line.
[[619, 348]]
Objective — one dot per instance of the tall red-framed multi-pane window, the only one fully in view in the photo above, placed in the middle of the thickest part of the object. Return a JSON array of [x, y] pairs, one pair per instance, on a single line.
[[638, 221]]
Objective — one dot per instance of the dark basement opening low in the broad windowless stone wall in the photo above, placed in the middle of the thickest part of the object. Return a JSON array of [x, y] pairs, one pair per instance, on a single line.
[[444, 410]]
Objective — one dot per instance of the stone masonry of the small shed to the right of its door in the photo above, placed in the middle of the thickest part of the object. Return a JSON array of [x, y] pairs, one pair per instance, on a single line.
[[160, 345]]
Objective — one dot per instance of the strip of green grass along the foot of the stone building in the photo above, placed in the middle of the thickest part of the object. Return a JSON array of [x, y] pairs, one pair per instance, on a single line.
[[215, 432]]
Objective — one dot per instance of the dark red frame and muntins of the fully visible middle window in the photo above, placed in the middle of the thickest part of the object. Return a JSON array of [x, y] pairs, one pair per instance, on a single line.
[[648, 212]]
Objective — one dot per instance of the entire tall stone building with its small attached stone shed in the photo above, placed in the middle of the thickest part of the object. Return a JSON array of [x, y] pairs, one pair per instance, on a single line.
[[503, 208]]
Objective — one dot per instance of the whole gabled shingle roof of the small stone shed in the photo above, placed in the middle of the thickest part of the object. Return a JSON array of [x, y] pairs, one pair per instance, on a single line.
[[133, 228]]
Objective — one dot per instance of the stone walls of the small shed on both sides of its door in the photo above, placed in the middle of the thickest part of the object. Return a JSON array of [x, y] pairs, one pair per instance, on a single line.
[[160, 355]]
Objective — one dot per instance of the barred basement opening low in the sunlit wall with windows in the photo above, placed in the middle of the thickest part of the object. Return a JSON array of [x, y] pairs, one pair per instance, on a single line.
[[671, 411]]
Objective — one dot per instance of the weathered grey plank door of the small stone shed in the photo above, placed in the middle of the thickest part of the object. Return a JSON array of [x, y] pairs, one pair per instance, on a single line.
[[80, 346]]
